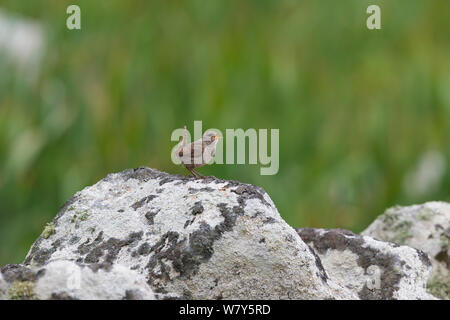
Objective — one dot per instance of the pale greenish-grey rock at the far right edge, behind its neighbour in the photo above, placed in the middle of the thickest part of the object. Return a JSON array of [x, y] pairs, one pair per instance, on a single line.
[[425, 227]]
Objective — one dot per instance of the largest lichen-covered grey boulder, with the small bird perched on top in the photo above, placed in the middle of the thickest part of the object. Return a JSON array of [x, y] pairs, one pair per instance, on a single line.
[[194, 239]]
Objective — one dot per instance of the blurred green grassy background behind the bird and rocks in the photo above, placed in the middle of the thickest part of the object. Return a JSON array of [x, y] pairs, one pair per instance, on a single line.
[[364, 116]]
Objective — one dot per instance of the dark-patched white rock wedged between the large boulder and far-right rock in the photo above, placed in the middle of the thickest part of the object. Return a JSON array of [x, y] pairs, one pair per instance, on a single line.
[[371, 269]]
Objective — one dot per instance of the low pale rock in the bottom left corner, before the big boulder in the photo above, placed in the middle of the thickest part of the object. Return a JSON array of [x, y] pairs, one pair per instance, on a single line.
[[67, 280]]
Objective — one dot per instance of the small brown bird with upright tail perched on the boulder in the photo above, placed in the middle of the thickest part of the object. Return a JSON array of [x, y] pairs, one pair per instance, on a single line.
[[199, 152]]
